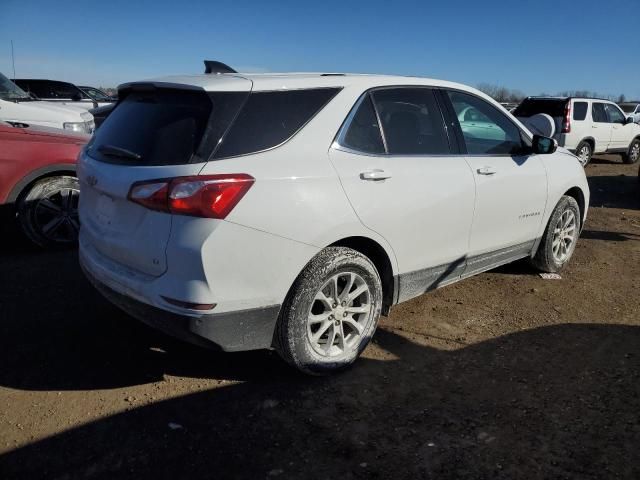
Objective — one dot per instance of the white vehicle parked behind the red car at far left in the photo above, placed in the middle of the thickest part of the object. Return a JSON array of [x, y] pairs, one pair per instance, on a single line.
[[17, 106]]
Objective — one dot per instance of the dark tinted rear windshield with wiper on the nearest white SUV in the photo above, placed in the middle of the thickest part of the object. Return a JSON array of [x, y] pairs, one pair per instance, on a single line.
[[162, 127]]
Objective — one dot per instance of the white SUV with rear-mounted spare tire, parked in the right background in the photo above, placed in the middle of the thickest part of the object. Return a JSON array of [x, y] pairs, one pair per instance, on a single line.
[[587, 125]]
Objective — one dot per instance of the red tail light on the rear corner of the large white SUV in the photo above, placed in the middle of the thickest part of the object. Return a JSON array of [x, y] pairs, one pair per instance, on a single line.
[[210, 196]]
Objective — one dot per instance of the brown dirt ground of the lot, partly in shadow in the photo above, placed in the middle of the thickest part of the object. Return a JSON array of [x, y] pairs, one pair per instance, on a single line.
[[504, 375]]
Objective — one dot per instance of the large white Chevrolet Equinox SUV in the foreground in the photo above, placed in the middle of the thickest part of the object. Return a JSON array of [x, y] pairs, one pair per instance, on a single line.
[[290, 211]]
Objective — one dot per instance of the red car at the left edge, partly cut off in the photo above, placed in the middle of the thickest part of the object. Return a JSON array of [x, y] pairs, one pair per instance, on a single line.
[[37, 175]]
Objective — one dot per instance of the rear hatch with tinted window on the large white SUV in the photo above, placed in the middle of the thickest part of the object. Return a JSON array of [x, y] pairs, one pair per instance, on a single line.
[[157, 131]]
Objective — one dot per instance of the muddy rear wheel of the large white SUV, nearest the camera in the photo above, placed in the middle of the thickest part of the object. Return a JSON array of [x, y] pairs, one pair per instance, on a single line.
[[331, 312]]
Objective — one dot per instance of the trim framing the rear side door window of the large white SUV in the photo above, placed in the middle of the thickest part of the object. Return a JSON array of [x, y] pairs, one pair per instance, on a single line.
[[342, 131]]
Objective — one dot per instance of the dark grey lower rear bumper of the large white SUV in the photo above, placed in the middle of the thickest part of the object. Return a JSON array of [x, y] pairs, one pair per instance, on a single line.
[[230, 331]]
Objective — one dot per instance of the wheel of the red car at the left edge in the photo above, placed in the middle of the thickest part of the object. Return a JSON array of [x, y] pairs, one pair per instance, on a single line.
[[48, 211]]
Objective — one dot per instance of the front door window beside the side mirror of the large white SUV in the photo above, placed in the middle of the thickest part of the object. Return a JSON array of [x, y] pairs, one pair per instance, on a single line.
[[490, 132]]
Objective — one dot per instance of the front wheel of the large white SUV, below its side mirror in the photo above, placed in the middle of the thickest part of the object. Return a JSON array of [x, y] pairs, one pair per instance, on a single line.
[[560, 237]]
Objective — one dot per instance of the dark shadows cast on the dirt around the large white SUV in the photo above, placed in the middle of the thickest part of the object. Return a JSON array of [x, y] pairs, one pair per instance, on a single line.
[[549, 402]]
